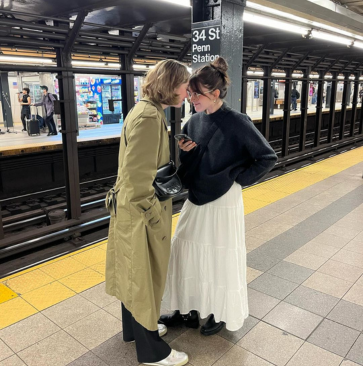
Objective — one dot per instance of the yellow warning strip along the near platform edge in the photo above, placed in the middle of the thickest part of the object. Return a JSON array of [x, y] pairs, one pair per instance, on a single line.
[[35, 289]]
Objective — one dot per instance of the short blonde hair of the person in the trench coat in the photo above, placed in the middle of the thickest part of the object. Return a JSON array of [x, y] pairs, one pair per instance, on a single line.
[[163, 79]]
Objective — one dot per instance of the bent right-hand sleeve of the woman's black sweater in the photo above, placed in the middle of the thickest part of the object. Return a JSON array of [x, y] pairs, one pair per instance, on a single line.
[[262, 156]]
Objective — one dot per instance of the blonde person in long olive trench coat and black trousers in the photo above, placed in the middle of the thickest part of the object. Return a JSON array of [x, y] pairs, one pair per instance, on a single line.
[[138, 247]]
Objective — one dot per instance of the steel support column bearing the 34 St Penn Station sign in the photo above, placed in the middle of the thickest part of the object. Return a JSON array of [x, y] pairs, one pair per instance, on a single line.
[[217, 26]]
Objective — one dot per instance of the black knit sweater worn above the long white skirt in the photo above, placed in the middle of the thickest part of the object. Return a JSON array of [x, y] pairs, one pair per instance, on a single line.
[[237, 152]]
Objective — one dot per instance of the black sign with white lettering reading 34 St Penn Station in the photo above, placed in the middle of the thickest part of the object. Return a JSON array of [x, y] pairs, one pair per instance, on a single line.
[[206, 42]]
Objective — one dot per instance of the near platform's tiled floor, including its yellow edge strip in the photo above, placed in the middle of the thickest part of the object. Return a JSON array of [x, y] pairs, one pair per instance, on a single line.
[[305, 274]]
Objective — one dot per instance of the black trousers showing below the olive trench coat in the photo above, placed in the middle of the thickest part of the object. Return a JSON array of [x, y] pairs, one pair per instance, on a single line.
[[149, 346]]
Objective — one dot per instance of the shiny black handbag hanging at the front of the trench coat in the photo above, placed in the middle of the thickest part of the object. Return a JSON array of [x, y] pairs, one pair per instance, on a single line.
[[167, 183]]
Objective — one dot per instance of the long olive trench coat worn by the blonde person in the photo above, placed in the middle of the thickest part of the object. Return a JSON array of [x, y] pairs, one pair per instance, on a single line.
[[138, 247]]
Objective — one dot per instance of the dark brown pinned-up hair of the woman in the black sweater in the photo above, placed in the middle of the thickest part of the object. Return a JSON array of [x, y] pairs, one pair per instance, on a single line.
[[212, 76]]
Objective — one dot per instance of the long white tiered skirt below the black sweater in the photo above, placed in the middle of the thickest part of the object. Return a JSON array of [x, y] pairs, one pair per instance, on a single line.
[[207, 268]]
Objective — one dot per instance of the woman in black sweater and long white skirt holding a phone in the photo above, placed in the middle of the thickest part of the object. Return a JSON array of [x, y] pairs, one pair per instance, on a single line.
[[207, 268]]
